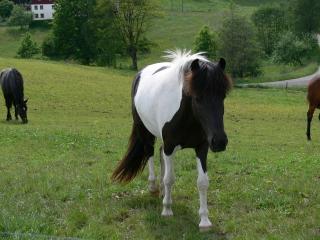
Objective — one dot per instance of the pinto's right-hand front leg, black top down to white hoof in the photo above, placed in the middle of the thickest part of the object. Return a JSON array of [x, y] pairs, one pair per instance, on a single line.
[[203, 184]]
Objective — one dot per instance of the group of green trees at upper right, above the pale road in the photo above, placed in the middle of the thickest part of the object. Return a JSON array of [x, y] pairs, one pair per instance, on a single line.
[[286, 33]]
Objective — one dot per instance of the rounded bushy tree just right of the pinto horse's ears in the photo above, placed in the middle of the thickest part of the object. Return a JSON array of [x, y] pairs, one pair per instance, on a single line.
[[238, 45]]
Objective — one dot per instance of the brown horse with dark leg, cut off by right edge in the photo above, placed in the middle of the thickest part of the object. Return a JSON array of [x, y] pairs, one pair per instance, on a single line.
[[313, 97]]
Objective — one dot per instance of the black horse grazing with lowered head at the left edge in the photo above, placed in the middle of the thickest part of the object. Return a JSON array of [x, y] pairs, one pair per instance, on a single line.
[[11, 82]]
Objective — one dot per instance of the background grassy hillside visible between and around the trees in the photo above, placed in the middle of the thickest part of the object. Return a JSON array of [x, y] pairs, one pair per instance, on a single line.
[[178, 30]]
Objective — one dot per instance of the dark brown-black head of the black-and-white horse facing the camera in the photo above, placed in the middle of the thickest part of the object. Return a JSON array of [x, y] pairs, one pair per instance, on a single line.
[[207, 85]]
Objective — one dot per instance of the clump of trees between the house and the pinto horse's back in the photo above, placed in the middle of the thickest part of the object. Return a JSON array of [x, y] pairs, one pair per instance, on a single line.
[[97, 31]]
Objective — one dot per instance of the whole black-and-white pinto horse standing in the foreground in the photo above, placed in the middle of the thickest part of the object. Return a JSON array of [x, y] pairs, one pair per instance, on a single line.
[[182, 103]]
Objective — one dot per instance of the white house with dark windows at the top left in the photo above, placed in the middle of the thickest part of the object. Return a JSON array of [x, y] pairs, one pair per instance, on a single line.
[[42, 9]]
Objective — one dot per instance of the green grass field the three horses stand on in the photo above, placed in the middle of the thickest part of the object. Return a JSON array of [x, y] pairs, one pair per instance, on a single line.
[[55, 171]]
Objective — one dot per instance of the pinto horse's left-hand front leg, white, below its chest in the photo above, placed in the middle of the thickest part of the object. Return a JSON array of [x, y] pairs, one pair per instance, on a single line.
[[168, 181]]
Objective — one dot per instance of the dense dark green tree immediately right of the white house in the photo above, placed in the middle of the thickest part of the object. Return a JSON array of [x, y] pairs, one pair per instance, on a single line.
[[73, 36]]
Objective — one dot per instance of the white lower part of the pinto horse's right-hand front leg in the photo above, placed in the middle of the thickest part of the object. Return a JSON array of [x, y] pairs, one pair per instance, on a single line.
[[203, 184]]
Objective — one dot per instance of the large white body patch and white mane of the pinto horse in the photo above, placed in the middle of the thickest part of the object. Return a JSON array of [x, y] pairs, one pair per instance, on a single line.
[[159, 95]]
